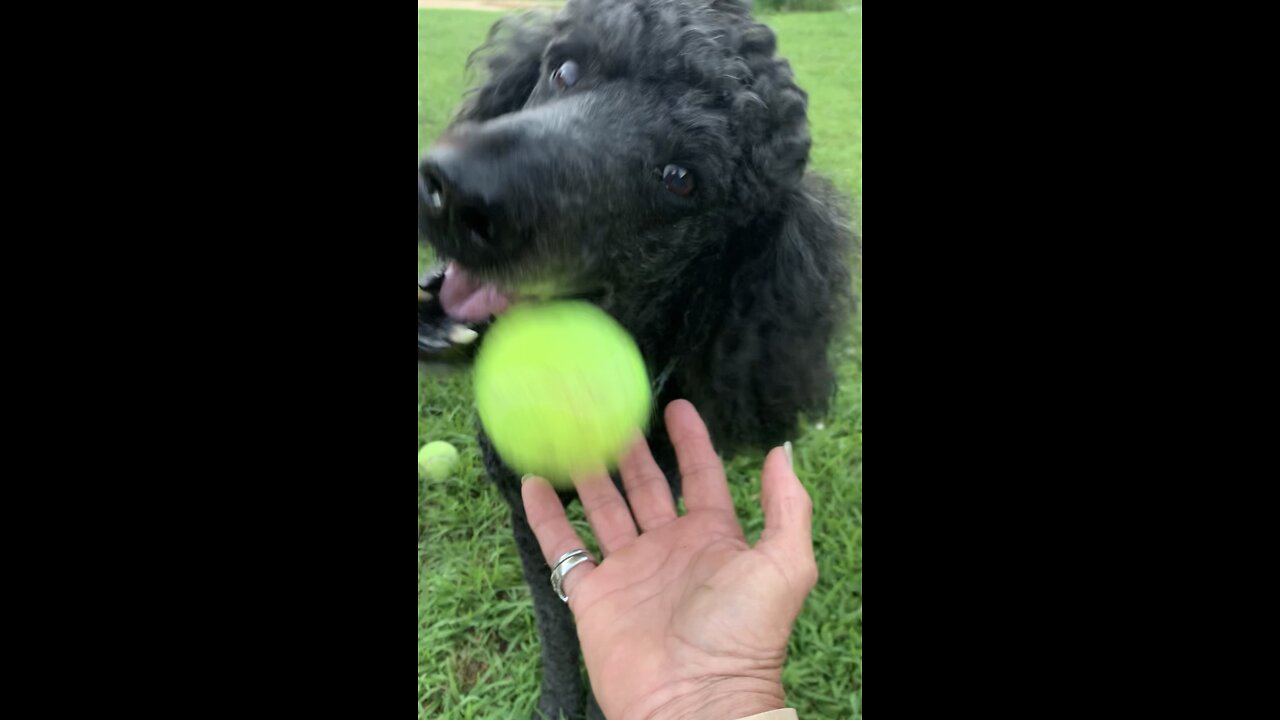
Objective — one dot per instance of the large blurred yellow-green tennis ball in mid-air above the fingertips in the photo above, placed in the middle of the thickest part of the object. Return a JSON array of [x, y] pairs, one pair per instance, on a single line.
[[561, 388]]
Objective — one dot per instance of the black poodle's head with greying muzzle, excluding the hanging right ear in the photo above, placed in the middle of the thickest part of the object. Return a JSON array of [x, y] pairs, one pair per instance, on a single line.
[[604, 136]]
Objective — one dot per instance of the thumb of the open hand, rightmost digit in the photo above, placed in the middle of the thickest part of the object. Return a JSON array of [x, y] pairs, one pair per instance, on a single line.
[[788, 517]]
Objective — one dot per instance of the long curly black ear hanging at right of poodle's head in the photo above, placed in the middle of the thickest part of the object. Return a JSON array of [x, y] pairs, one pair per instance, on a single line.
[[788, 295]]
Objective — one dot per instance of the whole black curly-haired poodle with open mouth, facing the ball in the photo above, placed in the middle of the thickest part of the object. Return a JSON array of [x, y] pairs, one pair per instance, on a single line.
[[648, 156]]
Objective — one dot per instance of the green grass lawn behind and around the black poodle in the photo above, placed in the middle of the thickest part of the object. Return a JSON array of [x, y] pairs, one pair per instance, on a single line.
[[477, 642]]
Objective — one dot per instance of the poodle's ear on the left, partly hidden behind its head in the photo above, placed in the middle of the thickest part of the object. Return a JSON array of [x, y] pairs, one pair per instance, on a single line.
[[511, 61]]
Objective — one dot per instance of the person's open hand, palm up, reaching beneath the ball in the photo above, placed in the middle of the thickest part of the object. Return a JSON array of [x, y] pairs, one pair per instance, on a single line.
[[683, 618]]
